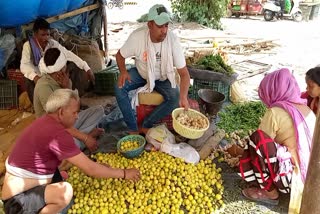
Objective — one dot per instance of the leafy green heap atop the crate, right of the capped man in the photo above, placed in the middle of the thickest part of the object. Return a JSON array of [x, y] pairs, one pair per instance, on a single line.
[[214, 63]]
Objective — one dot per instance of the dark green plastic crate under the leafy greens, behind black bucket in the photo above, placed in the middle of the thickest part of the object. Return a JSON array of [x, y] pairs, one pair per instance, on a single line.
[[214, 85]]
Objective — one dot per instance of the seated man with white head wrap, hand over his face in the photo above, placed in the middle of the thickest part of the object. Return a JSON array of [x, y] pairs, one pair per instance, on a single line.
[[54, 76]]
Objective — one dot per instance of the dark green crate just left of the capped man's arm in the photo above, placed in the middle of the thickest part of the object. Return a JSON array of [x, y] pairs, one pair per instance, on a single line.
[[105, 80]]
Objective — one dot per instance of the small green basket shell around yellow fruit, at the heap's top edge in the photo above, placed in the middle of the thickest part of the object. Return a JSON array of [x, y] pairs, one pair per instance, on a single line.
[[135, 152]]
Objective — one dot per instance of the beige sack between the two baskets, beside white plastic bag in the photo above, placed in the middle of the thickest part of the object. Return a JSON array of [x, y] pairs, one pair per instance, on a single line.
[[159, 135]]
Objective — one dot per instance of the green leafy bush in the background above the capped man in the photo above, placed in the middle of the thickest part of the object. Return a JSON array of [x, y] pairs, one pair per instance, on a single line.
[[205, 12]]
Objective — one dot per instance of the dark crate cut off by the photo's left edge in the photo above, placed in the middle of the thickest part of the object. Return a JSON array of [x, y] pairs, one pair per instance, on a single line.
[[8, 94]]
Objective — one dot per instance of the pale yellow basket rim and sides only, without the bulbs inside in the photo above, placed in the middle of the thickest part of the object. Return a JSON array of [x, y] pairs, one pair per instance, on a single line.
[[184, 130]]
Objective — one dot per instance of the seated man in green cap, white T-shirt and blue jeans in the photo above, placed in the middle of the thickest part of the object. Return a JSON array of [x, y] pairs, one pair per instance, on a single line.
[[157, 52]]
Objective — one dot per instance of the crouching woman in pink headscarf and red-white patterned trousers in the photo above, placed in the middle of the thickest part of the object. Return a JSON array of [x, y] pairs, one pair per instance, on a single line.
[[282, 142]]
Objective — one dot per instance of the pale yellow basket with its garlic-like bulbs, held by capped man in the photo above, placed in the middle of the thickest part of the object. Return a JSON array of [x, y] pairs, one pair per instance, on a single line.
[[190, 124]]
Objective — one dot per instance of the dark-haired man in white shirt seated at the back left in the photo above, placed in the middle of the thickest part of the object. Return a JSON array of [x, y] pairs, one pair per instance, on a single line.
[[33, 50]]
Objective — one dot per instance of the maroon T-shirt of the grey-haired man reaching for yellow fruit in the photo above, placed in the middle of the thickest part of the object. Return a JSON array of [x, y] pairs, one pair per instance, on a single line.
[[42, 146]]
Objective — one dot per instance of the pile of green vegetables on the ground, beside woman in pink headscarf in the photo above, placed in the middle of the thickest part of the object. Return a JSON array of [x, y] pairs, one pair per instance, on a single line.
[[241, 116]]
